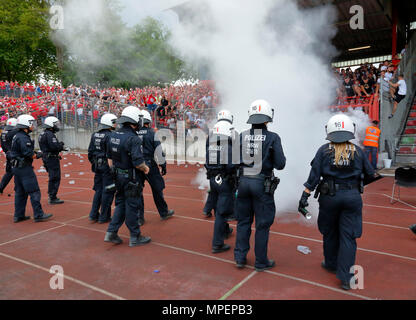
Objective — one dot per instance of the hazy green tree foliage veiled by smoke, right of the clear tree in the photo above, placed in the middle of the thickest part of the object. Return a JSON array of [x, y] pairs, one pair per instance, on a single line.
[[130, 57]]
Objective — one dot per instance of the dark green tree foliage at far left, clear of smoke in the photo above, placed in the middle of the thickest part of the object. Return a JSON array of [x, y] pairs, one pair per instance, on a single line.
[[26, 50]]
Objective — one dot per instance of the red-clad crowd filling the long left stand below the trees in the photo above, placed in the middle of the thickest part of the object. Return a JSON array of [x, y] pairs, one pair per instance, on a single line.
[[193, 103]]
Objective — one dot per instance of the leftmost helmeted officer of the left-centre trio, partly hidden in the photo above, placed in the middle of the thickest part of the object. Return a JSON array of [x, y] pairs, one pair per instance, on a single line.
[[103, 178]]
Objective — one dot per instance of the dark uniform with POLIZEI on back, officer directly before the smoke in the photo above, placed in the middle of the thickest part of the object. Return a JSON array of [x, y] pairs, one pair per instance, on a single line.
[[252, 200]]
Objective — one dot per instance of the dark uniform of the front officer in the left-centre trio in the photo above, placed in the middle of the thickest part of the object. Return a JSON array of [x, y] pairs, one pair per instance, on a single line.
[[125, 150]]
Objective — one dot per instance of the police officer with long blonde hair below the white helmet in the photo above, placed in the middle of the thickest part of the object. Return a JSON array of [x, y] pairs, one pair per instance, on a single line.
[[342, 166]]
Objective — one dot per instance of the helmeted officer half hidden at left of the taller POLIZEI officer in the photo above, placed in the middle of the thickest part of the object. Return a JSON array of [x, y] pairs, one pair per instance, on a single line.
[[222, 174]]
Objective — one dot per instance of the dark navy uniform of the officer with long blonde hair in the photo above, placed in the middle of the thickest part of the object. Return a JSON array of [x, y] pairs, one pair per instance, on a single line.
[[340, 205]]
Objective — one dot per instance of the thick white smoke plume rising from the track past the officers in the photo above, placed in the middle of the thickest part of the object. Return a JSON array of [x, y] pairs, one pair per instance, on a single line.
[[269, 50]]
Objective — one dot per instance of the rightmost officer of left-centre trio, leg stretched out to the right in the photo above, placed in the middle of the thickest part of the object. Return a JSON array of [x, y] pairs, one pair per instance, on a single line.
[[152, 149]]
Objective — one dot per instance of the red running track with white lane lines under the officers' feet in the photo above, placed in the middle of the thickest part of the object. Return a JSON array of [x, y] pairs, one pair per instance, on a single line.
[[181, 249]]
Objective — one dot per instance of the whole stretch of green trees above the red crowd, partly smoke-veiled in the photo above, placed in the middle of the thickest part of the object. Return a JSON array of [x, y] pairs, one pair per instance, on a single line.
[[108, 53]]
